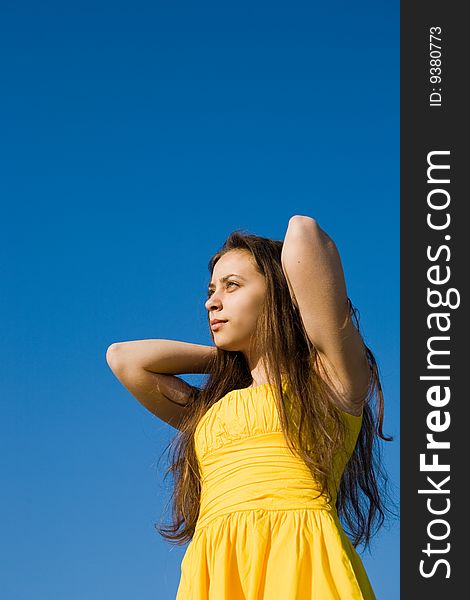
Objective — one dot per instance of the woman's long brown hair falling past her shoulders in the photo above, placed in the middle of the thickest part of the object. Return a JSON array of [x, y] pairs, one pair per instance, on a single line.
[[303, 419]]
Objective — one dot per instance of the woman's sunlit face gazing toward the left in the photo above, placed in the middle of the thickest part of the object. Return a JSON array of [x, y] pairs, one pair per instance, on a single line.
[[236, 294]]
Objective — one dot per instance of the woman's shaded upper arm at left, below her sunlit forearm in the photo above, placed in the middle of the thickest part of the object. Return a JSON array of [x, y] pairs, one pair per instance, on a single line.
[[166, 396]]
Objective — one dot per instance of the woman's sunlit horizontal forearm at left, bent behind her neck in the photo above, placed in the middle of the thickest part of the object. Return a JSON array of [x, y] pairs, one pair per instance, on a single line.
[[162, 356]]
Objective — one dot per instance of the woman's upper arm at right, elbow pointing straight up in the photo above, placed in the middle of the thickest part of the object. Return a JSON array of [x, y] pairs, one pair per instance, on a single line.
[[314, 273]]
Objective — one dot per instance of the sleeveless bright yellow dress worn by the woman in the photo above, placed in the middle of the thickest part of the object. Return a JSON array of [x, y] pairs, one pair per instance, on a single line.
[[259, 534]]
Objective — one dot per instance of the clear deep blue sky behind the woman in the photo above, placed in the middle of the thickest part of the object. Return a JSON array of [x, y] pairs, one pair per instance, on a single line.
[[135, 138]]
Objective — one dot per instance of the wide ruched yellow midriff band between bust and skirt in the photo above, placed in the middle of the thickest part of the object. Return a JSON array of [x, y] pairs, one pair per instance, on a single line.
[[256, 472]]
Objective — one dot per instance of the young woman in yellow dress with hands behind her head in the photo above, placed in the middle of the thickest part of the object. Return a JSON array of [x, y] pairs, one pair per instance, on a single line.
[[278, 444]]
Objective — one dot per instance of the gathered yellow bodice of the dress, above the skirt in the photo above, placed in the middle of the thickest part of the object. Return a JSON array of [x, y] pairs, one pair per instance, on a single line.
[[245, 461]]
